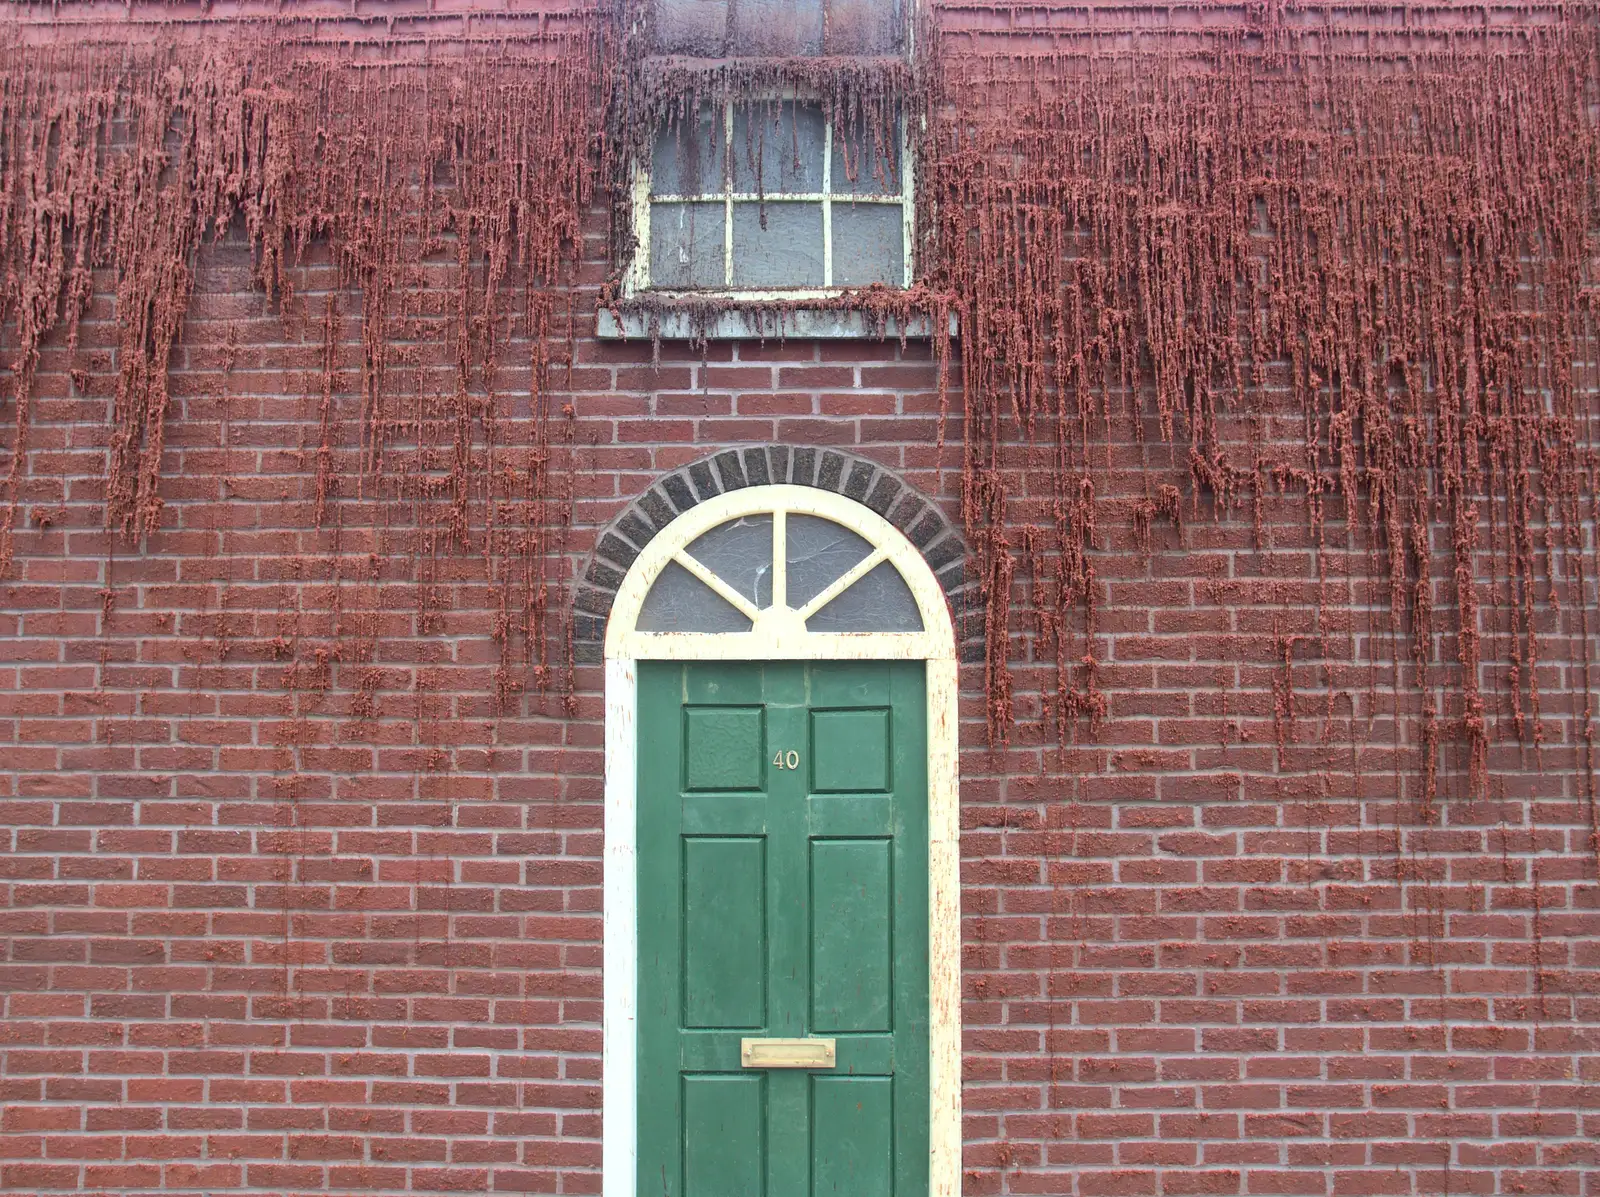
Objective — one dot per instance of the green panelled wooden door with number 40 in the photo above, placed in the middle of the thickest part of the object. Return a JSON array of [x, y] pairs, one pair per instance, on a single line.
[[783, 892]]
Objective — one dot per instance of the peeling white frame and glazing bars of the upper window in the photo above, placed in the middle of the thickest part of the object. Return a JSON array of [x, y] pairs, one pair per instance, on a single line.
[[638, 278]]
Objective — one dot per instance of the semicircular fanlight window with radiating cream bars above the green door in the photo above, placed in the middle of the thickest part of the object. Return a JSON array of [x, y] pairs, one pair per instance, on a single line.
[[780, 569]]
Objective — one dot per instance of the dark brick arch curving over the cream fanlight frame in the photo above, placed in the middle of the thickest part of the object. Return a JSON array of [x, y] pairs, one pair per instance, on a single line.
[[847, 474]]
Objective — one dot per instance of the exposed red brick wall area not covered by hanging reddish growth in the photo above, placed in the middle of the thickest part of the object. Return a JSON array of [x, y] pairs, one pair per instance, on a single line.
[[263, 934]]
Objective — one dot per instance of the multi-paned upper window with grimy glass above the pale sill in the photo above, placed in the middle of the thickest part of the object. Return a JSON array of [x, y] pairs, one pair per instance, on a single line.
[[769, 199]]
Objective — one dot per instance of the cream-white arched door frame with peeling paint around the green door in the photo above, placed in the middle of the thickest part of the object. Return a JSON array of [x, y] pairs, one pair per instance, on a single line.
[[778, 635]]
